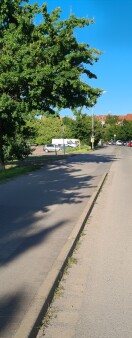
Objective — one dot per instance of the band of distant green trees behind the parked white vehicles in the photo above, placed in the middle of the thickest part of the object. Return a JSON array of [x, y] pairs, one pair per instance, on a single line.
[[80, 128]]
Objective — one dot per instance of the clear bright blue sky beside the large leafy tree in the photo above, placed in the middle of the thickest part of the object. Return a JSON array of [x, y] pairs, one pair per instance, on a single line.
[[111, 34]]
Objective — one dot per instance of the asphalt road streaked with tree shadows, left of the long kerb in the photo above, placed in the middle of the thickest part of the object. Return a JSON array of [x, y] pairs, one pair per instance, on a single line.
[[37, 213]]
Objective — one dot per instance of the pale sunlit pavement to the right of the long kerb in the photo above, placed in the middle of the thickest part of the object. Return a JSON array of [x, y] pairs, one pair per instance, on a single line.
[[95, 297]]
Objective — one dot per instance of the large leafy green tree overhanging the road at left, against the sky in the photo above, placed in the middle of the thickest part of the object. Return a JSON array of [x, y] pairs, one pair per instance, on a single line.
[[41, 66]]
